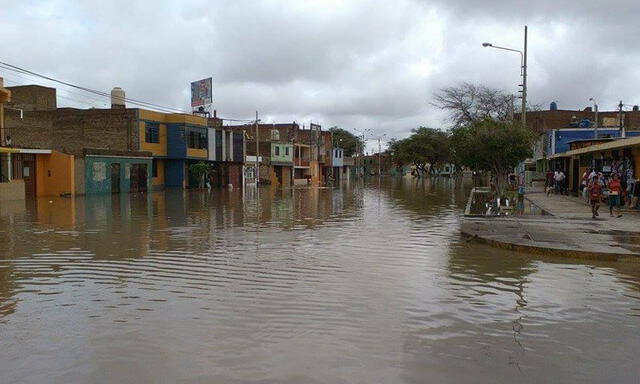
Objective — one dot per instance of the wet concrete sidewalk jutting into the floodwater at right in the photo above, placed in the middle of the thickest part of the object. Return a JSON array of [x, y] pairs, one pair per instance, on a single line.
[[567, 230]]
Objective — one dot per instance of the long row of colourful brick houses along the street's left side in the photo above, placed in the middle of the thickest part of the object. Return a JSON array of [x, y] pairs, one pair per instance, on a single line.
[[51, 151]]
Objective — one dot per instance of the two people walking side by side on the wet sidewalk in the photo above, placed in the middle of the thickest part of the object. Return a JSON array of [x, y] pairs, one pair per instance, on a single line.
[[593, 191]]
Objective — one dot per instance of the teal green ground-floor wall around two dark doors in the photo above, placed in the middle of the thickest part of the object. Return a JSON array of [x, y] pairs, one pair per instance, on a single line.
[[98, 173]]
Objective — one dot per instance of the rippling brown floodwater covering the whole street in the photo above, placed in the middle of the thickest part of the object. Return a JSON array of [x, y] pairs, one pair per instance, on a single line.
[[359, 284]]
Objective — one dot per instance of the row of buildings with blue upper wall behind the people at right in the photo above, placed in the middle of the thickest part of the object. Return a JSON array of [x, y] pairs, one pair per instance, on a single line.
[[573, 141]]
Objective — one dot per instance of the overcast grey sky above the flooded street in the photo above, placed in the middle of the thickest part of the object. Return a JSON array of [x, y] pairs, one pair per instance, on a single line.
[[356, 64]]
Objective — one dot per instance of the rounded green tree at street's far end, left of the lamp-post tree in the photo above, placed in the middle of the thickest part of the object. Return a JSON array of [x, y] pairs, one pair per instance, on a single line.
[[425, 146]]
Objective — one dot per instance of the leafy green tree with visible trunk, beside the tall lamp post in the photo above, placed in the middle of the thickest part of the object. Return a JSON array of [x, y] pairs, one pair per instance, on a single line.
[[491, 145]]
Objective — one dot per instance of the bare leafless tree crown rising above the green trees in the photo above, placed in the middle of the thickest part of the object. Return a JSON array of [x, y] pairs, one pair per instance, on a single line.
[[467, 103]]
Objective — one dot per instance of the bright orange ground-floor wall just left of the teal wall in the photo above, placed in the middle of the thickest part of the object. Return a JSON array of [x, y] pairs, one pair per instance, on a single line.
[[54, 174]]
